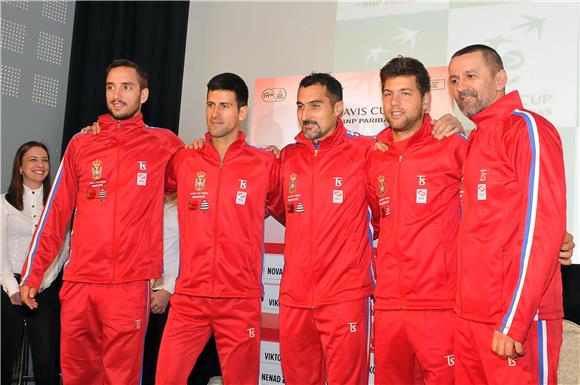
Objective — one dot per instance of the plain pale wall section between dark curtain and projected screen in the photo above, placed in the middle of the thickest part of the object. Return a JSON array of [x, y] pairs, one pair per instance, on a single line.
[[253, 40]]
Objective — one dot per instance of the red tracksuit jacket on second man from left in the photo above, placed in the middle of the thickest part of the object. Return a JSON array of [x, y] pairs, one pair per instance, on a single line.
[[222, 206]]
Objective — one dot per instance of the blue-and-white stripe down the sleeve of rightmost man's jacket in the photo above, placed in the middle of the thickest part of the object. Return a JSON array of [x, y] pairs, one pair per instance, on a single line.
[[530, 204]]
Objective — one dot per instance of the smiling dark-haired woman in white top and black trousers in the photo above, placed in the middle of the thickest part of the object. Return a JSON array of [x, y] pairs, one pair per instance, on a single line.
[[21, 208]]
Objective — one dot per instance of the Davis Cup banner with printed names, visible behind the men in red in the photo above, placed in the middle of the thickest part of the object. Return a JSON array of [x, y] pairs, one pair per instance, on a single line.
[[274, 122]]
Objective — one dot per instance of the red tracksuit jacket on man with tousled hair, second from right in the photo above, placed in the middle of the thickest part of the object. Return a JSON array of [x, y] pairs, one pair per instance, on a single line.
[[415, 188]]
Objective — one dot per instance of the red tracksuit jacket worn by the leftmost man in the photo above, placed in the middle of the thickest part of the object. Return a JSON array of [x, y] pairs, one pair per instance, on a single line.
[[114, 181]]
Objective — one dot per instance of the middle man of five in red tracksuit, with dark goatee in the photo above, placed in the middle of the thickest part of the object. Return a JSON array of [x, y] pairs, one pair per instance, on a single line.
[[326, 282]]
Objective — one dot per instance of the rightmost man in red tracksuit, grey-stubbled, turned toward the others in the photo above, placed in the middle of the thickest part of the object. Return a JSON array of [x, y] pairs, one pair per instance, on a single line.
[[509, 290]]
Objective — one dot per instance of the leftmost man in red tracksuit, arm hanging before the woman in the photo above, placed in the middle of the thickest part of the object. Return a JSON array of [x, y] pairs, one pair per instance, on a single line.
[[114, 184]]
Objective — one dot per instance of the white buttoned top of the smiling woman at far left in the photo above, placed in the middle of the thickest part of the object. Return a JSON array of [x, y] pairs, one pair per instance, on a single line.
[[16, 231]]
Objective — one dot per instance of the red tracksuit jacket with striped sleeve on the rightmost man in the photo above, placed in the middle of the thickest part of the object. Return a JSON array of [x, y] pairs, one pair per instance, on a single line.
[[514, 219]]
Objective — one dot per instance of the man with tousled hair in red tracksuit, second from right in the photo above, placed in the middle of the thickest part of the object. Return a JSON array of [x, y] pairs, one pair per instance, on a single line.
[[415, 188]]
